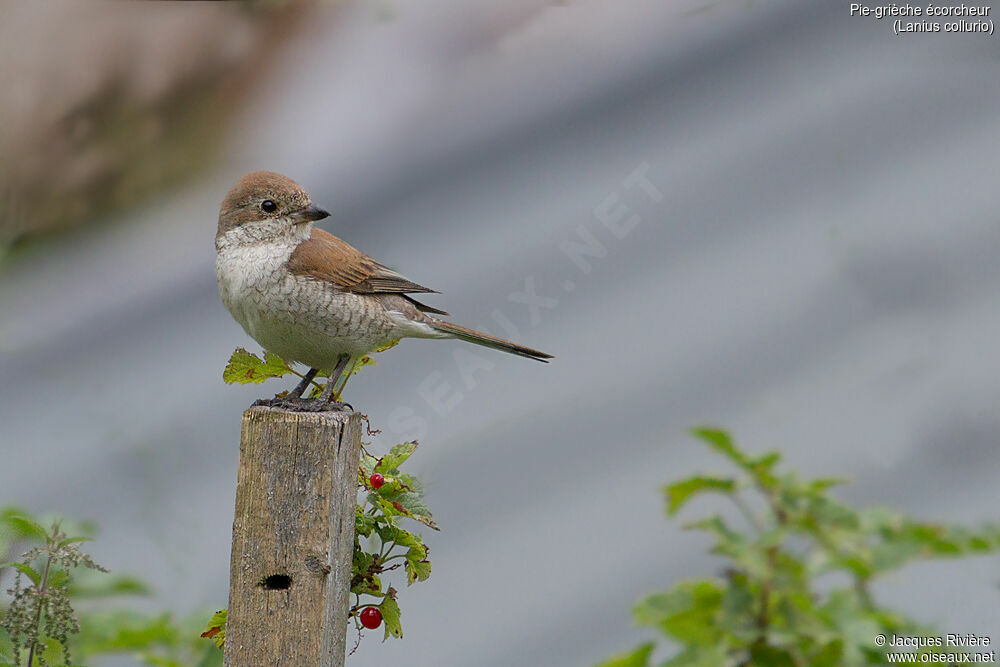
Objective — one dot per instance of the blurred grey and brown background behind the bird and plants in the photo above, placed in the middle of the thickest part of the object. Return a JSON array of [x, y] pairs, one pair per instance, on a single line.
[[770, 216]]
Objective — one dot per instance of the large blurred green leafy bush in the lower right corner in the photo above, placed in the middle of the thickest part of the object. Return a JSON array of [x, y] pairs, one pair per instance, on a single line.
[[776, 602]]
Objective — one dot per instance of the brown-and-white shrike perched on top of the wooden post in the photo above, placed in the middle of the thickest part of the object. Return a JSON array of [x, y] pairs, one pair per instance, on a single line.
[[311, 298]]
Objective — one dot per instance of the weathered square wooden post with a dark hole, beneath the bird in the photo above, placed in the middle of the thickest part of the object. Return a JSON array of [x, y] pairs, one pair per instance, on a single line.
[[293, 538]]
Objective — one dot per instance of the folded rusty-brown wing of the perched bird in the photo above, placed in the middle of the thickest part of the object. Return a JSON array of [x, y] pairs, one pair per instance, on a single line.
[[327, 258]]
